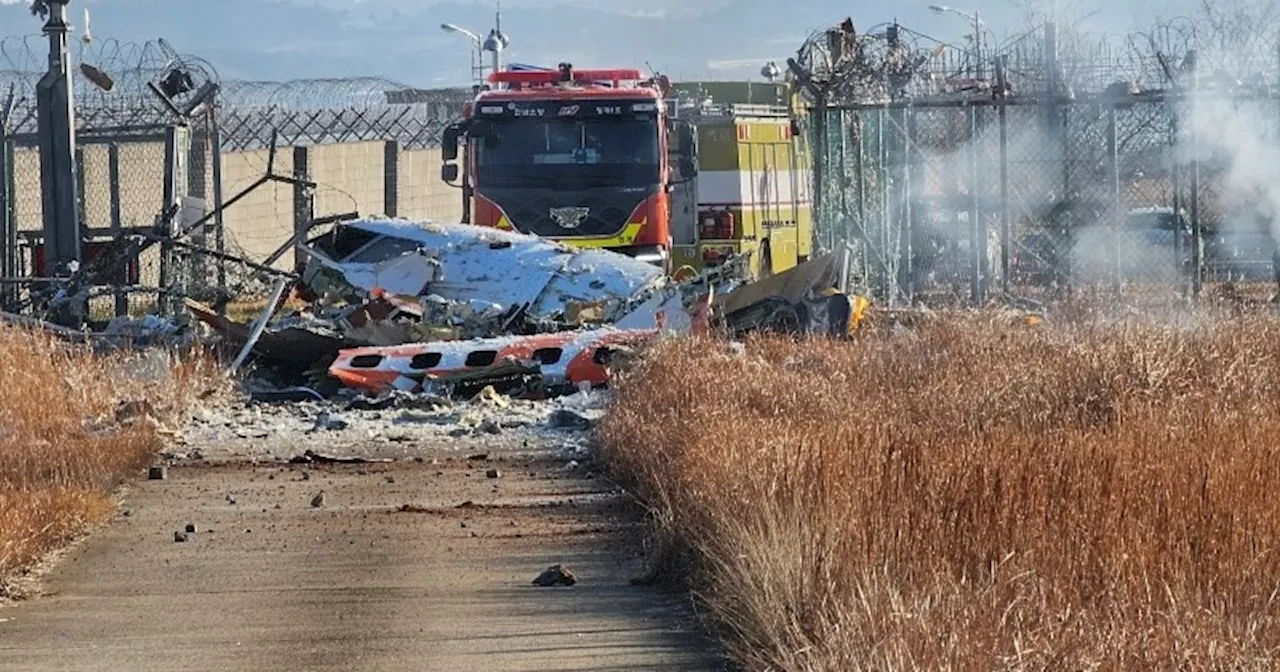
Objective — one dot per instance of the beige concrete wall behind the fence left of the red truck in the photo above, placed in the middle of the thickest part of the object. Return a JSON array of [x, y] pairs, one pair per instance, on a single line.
[[350, 177]]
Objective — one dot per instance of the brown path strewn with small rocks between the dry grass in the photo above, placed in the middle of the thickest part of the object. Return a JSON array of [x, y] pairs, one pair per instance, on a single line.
[[271, 583]]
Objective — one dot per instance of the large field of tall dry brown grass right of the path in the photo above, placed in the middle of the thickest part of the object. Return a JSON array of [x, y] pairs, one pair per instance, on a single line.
[[971, 495]]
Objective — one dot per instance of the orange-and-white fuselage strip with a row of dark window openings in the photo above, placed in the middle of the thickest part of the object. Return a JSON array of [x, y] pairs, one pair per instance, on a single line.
[[561, 362]]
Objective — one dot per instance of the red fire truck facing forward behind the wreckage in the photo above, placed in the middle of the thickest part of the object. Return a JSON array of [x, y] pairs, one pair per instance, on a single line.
[[579, 157]]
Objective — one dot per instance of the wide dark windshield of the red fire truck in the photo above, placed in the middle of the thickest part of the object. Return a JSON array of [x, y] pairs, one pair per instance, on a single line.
[[572, 153]]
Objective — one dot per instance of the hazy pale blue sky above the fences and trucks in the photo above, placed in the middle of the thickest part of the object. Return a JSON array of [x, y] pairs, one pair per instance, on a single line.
[[705, 39]]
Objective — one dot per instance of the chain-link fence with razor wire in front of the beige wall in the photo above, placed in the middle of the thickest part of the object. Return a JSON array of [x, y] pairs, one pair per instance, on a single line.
[[153, 161]]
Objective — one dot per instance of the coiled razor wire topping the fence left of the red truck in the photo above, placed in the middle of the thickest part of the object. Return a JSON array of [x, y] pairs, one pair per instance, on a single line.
[[113, 89]]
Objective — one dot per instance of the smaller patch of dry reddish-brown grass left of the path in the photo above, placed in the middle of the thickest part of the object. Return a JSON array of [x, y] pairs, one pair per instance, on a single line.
[[62, 452]]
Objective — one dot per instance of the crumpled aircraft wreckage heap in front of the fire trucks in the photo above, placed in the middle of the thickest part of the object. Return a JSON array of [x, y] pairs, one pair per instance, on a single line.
[[395, 304]]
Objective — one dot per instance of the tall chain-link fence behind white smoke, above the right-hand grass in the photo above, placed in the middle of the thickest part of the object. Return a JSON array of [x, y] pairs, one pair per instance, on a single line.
[[979, 196]]
